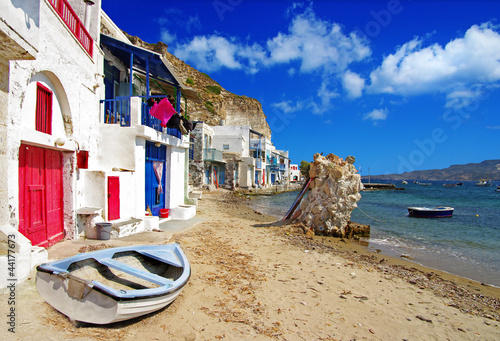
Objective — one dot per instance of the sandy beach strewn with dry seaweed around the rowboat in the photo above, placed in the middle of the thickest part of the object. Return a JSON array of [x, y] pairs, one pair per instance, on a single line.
[[254, 280]]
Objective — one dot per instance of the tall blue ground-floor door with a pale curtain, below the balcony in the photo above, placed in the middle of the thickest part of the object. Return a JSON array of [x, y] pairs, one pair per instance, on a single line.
[[155, 197]]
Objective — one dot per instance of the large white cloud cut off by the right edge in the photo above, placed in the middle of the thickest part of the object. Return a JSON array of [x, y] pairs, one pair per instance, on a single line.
[[463, 62]]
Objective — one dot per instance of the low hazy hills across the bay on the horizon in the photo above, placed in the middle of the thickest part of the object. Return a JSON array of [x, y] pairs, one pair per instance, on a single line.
[[489, 170]]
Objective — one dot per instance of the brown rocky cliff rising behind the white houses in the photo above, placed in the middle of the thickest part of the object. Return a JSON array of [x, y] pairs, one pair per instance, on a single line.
[[216, 103]]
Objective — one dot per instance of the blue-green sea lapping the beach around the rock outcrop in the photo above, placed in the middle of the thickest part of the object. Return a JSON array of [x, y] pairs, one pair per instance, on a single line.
[[467, 244]]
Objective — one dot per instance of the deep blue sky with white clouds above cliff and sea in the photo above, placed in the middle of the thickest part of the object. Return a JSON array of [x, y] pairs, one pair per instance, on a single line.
[[401, 85]]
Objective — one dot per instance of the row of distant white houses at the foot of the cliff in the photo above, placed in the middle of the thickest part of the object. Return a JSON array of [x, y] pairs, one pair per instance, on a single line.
[[232, 157]]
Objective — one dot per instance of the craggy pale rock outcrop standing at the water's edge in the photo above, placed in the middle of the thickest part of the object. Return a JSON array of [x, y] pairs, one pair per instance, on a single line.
[[334, 193]]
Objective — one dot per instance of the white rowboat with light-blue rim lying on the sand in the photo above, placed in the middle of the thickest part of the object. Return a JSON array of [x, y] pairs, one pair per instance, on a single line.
[[114, 284]]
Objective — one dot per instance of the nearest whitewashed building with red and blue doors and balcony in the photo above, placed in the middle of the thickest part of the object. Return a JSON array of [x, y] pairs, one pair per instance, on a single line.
[[78, 144]]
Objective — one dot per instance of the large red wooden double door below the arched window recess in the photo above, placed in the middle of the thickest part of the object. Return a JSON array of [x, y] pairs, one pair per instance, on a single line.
[[40, 195]]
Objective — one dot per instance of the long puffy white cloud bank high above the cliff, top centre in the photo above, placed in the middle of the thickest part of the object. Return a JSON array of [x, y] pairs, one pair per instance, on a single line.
[[310, 41]]
